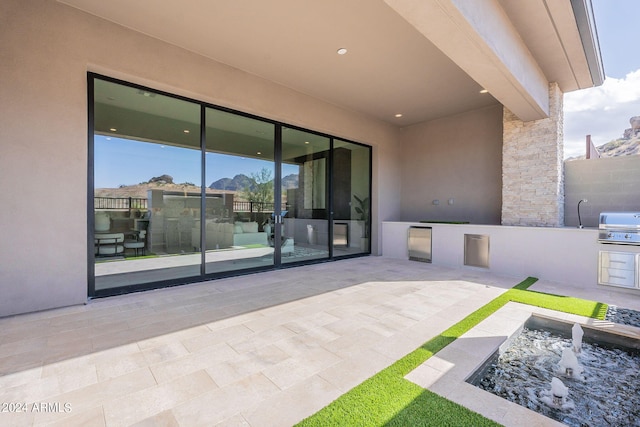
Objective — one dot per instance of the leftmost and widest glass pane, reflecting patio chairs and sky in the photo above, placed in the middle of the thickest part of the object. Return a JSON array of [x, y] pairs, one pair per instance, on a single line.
[[147, 186]]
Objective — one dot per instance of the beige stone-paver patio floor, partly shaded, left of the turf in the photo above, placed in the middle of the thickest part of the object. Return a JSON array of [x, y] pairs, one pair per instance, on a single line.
[[263, 349]]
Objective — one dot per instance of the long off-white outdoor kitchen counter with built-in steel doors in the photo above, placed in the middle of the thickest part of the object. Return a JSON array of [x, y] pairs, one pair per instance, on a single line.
[[562, 254]]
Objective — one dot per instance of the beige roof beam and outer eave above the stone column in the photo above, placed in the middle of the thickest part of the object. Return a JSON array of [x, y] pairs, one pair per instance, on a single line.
[[514, 48]]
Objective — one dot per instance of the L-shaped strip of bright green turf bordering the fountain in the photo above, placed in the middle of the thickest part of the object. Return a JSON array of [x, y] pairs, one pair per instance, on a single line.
[[387, 399]]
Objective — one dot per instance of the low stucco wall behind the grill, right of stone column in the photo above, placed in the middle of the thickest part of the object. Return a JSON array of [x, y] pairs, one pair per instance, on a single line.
[[608, 184]]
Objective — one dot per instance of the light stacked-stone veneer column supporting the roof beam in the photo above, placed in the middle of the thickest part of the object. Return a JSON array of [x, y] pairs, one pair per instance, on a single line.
[[532, 162]]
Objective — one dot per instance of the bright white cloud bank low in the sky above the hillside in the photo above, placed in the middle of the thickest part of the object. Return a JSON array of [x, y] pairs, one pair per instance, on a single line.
[[602, 112]]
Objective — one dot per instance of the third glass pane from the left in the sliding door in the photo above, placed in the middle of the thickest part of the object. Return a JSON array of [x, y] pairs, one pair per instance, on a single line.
[[305, 228]]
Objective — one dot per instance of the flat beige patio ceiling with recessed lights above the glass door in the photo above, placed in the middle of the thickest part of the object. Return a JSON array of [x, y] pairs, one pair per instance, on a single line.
[[390, 66]]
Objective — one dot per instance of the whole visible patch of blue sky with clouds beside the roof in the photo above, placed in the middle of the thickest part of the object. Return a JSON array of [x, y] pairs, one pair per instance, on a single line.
[[603, 112]]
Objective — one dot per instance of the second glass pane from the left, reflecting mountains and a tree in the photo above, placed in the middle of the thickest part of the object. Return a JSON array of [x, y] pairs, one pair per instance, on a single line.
[[240, 192]]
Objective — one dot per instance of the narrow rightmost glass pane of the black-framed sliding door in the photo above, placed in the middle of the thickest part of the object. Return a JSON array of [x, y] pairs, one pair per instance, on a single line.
[[351, 198]]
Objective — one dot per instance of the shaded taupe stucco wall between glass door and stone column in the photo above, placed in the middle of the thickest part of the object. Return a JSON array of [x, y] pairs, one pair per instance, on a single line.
[[457, 157]]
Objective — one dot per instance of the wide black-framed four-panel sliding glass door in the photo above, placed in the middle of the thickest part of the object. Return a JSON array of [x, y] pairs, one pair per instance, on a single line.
[[181, 191]]
